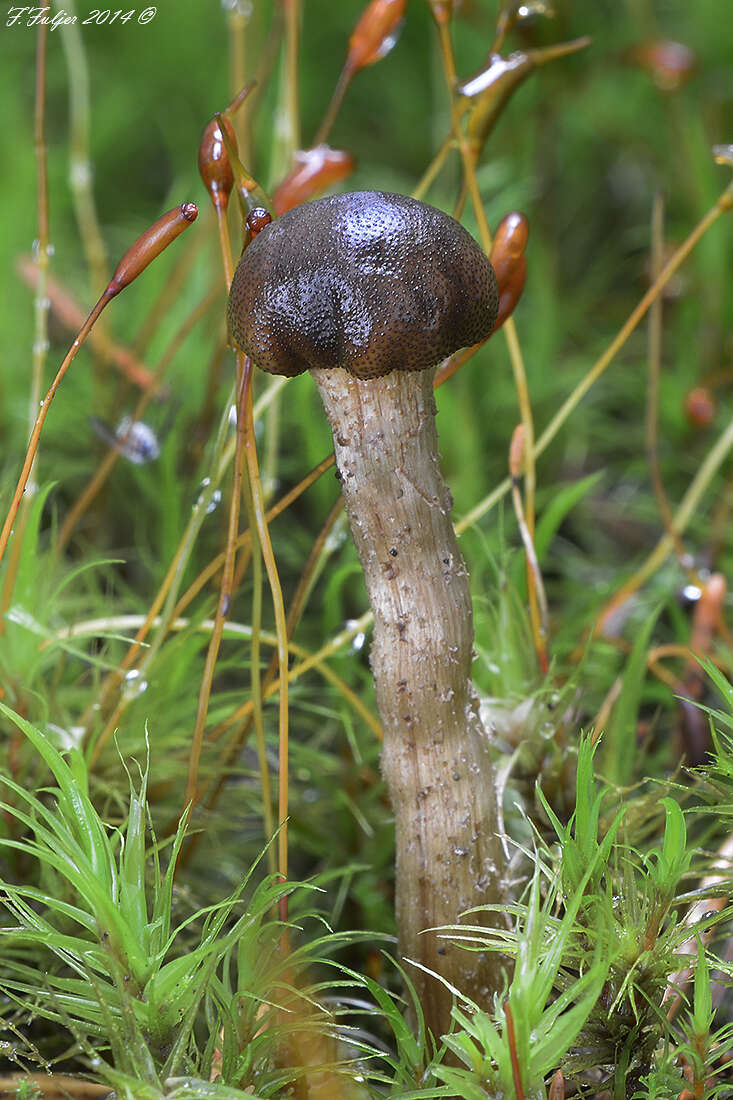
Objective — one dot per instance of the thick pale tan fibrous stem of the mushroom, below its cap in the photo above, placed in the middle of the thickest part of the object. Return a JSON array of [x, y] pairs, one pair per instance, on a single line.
[[435, 757]]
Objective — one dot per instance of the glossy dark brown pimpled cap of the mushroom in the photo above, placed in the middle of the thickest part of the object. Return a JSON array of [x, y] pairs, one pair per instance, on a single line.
[[368, 281]]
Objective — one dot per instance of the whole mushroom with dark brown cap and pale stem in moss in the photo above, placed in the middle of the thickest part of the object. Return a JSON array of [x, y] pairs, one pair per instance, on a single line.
[[370, 291]]
